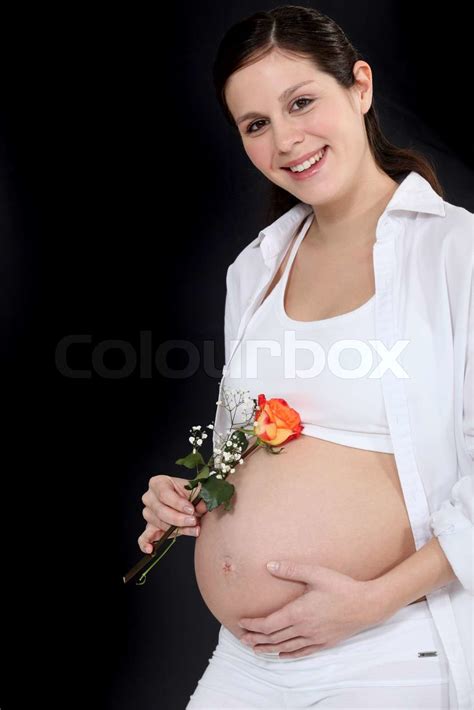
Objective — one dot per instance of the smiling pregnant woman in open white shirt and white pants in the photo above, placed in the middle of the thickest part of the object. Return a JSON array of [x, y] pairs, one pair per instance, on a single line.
[[353, 305]]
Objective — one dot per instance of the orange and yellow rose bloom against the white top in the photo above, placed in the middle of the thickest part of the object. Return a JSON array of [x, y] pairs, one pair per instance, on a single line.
[[276, 422]]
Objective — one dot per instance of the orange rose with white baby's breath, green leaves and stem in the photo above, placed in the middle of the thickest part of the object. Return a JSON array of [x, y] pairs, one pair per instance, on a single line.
[[272, 423]]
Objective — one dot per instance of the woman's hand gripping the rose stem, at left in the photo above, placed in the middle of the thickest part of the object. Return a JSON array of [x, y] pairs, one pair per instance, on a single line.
[[165, 502]]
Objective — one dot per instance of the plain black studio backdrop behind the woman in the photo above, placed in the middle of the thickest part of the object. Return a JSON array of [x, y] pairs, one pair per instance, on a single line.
[[123, 198]]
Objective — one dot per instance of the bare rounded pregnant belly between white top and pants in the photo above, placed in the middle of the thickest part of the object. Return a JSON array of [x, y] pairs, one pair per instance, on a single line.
[[317, 502]]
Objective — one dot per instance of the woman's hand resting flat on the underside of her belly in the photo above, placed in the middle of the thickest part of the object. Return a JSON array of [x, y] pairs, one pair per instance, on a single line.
[[334, 607]]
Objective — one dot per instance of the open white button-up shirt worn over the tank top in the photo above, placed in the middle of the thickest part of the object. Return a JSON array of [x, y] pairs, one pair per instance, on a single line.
[[423, 260]]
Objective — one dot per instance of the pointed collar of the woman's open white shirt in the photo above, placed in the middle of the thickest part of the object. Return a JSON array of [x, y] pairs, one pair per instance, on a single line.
[[414, 194]]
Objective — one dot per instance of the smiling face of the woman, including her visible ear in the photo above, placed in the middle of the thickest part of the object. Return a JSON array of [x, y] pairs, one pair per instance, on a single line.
[[320, 113]]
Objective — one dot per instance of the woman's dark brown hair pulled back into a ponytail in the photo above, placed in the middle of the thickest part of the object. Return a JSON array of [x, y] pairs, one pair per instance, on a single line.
[[308, 32]]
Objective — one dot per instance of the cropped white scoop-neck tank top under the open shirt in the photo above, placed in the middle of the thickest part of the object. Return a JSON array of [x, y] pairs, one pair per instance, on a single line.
[[314, 367]]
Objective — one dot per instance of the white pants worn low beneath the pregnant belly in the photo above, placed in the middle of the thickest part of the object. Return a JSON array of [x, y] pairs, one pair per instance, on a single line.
[[376, 668]]
